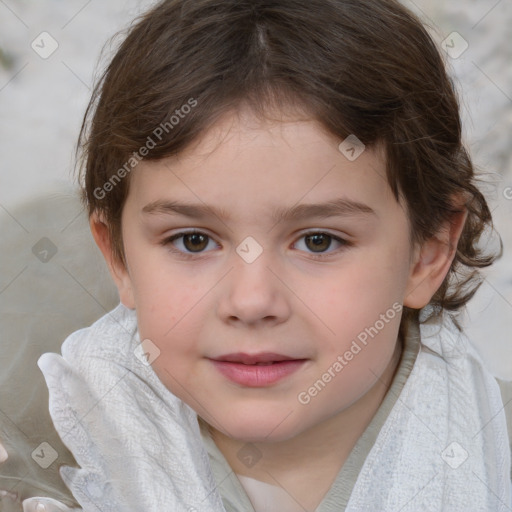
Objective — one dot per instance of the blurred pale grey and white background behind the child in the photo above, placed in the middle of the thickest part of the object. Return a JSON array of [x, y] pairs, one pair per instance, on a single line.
[[49, 53]]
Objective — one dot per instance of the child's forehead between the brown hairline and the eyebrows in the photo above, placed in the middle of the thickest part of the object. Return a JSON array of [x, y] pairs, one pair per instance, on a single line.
[[245, 164]]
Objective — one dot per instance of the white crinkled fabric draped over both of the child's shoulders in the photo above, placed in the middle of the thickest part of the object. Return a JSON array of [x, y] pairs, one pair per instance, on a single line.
[[443, 447]]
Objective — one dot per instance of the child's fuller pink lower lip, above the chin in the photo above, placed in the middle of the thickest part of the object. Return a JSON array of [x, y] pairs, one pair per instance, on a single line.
[[256, 376]]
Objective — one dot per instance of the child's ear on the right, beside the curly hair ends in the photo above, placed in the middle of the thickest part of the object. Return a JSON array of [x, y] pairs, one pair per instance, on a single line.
[[432, 260]]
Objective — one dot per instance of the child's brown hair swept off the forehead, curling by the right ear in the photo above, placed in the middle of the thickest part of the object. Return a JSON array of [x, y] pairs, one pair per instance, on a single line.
[[363, 67]]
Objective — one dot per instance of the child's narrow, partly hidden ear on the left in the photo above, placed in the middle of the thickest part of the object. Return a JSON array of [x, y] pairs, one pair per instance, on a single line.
[[117, 268]]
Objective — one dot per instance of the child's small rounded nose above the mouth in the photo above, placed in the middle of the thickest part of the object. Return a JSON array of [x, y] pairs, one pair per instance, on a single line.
[[253, 295]]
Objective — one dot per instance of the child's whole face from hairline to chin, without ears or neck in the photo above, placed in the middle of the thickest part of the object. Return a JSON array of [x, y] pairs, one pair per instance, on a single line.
[[305, 299]]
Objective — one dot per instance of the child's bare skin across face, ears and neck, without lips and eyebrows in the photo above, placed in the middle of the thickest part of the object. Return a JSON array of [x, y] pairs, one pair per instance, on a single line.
[[286, 301]]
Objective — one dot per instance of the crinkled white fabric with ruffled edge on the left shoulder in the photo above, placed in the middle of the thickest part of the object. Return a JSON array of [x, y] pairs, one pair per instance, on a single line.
[[138, 445]]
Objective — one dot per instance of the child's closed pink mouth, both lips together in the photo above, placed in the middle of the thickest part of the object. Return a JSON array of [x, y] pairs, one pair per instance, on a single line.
[[256, 370]]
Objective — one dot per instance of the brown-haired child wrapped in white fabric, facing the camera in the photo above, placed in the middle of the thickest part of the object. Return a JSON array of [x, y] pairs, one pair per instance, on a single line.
[[281, 194]]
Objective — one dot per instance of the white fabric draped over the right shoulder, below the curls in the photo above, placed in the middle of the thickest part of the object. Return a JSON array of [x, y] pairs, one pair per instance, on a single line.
[[449, 398]]
